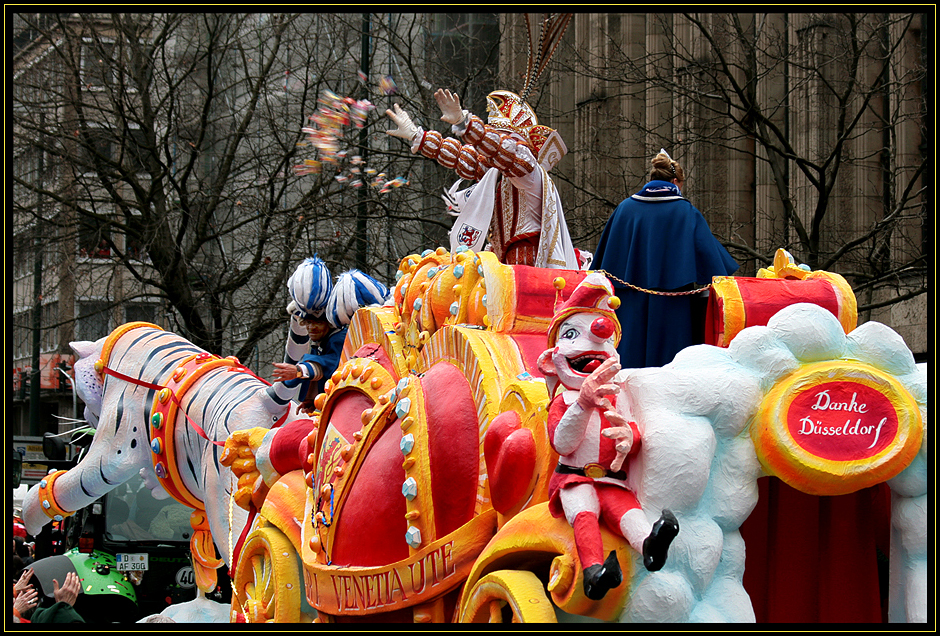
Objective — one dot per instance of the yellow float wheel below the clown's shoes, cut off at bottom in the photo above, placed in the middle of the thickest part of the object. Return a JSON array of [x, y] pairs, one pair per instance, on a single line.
[[508, 596]]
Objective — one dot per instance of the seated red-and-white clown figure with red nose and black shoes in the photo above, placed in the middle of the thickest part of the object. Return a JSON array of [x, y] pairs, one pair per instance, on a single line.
[[594, 439]]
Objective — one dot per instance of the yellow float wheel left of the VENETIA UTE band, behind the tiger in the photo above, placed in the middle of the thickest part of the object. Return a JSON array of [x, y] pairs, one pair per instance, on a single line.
[[268, 586]]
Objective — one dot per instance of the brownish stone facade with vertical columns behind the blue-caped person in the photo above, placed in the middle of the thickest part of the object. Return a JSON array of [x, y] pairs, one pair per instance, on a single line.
[[805, 131]]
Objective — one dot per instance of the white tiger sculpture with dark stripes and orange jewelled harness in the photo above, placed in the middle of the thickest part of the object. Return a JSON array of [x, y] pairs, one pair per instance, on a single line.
[[120, 379]]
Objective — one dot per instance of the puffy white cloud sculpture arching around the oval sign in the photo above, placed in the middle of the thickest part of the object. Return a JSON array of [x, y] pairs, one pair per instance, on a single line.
[[698, 460]]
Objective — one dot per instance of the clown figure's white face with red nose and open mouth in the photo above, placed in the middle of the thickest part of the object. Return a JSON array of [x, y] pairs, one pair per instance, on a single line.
[[585, 341]]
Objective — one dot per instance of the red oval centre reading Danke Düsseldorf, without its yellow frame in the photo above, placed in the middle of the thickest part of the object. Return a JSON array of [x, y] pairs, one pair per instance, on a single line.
[[842, 421]]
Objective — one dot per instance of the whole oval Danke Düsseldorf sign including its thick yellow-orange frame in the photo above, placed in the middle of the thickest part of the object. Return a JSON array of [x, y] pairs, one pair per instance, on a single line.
[[836, 426]]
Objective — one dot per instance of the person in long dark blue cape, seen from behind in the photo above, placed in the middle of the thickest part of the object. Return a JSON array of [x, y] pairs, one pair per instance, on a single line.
[[657, 240]]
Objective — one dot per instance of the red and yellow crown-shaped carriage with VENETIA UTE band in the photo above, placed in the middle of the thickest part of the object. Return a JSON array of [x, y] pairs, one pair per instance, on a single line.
[[396, 506]]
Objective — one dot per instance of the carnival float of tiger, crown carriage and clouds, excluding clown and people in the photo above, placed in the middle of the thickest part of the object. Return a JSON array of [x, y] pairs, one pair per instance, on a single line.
[[420, 486]]
